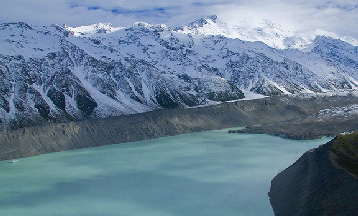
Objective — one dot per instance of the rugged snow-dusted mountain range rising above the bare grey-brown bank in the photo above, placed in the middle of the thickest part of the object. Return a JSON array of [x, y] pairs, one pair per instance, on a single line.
[[60, 73]]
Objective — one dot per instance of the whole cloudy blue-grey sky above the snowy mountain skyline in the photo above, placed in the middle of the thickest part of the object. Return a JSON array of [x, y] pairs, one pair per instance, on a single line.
[[338, 16]]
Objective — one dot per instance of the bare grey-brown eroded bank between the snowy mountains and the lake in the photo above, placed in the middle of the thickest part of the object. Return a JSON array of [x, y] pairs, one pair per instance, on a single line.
[[66, 136]]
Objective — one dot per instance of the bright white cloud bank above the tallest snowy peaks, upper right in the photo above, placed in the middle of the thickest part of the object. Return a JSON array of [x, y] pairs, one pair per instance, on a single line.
[[300, 15]]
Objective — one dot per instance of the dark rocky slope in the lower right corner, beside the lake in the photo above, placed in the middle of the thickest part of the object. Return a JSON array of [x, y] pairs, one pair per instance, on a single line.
[[322, 182]]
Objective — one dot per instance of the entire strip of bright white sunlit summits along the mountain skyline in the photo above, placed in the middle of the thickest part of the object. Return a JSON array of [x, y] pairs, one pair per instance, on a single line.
[[264, 30]]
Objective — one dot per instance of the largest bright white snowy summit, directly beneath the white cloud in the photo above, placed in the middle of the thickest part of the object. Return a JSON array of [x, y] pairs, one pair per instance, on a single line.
[[262, 30]]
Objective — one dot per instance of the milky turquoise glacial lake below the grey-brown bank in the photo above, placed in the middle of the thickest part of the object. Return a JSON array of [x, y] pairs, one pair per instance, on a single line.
[[205, 173]]
